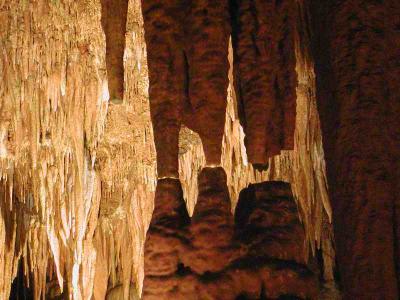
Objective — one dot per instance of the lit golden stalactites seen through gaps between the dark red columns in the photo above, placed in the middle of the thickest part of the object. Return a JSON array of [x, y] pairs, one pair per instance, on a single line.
[[304, 167]]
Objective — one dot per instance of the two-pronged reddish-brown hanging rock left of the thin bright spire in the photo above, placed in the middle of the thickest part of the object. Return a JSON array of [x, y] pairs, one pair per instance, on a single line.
[[187, 46]]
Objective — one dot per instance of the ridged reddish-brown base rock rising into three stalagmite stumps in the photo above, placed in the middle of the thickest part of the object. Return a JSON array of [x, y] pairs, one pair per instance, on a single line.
[[209, 256]]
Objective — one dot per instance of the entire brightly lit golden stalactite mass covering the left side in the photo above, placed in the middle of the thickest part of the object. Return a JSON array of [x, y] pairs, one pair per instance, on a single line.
[[75, 170]]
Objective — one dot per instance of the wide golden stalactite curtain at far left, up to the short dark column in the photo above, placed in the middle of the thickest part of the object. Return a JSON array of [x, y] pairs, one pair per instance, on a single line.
[[54, 110]]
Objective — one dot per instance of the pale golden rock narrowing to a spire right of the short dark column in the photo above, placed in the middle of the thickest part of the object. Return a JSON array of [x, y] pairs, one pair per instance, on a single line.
[[126, 165]]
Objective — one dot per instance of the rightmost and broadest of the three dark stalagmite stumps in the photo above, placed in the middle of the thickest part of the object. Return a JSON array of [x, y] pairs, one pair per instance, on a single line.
[[267, 226]]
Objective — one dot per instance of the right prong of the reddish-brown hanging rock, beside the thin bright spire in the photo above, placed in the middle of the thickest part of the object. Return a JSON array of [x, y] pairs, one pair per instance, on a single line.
[[207, 31]]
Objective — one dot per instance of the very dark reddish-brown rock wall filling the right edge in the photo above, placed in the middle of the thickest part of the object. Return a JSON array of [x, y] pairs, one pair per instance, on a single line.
[[357, 62]]
